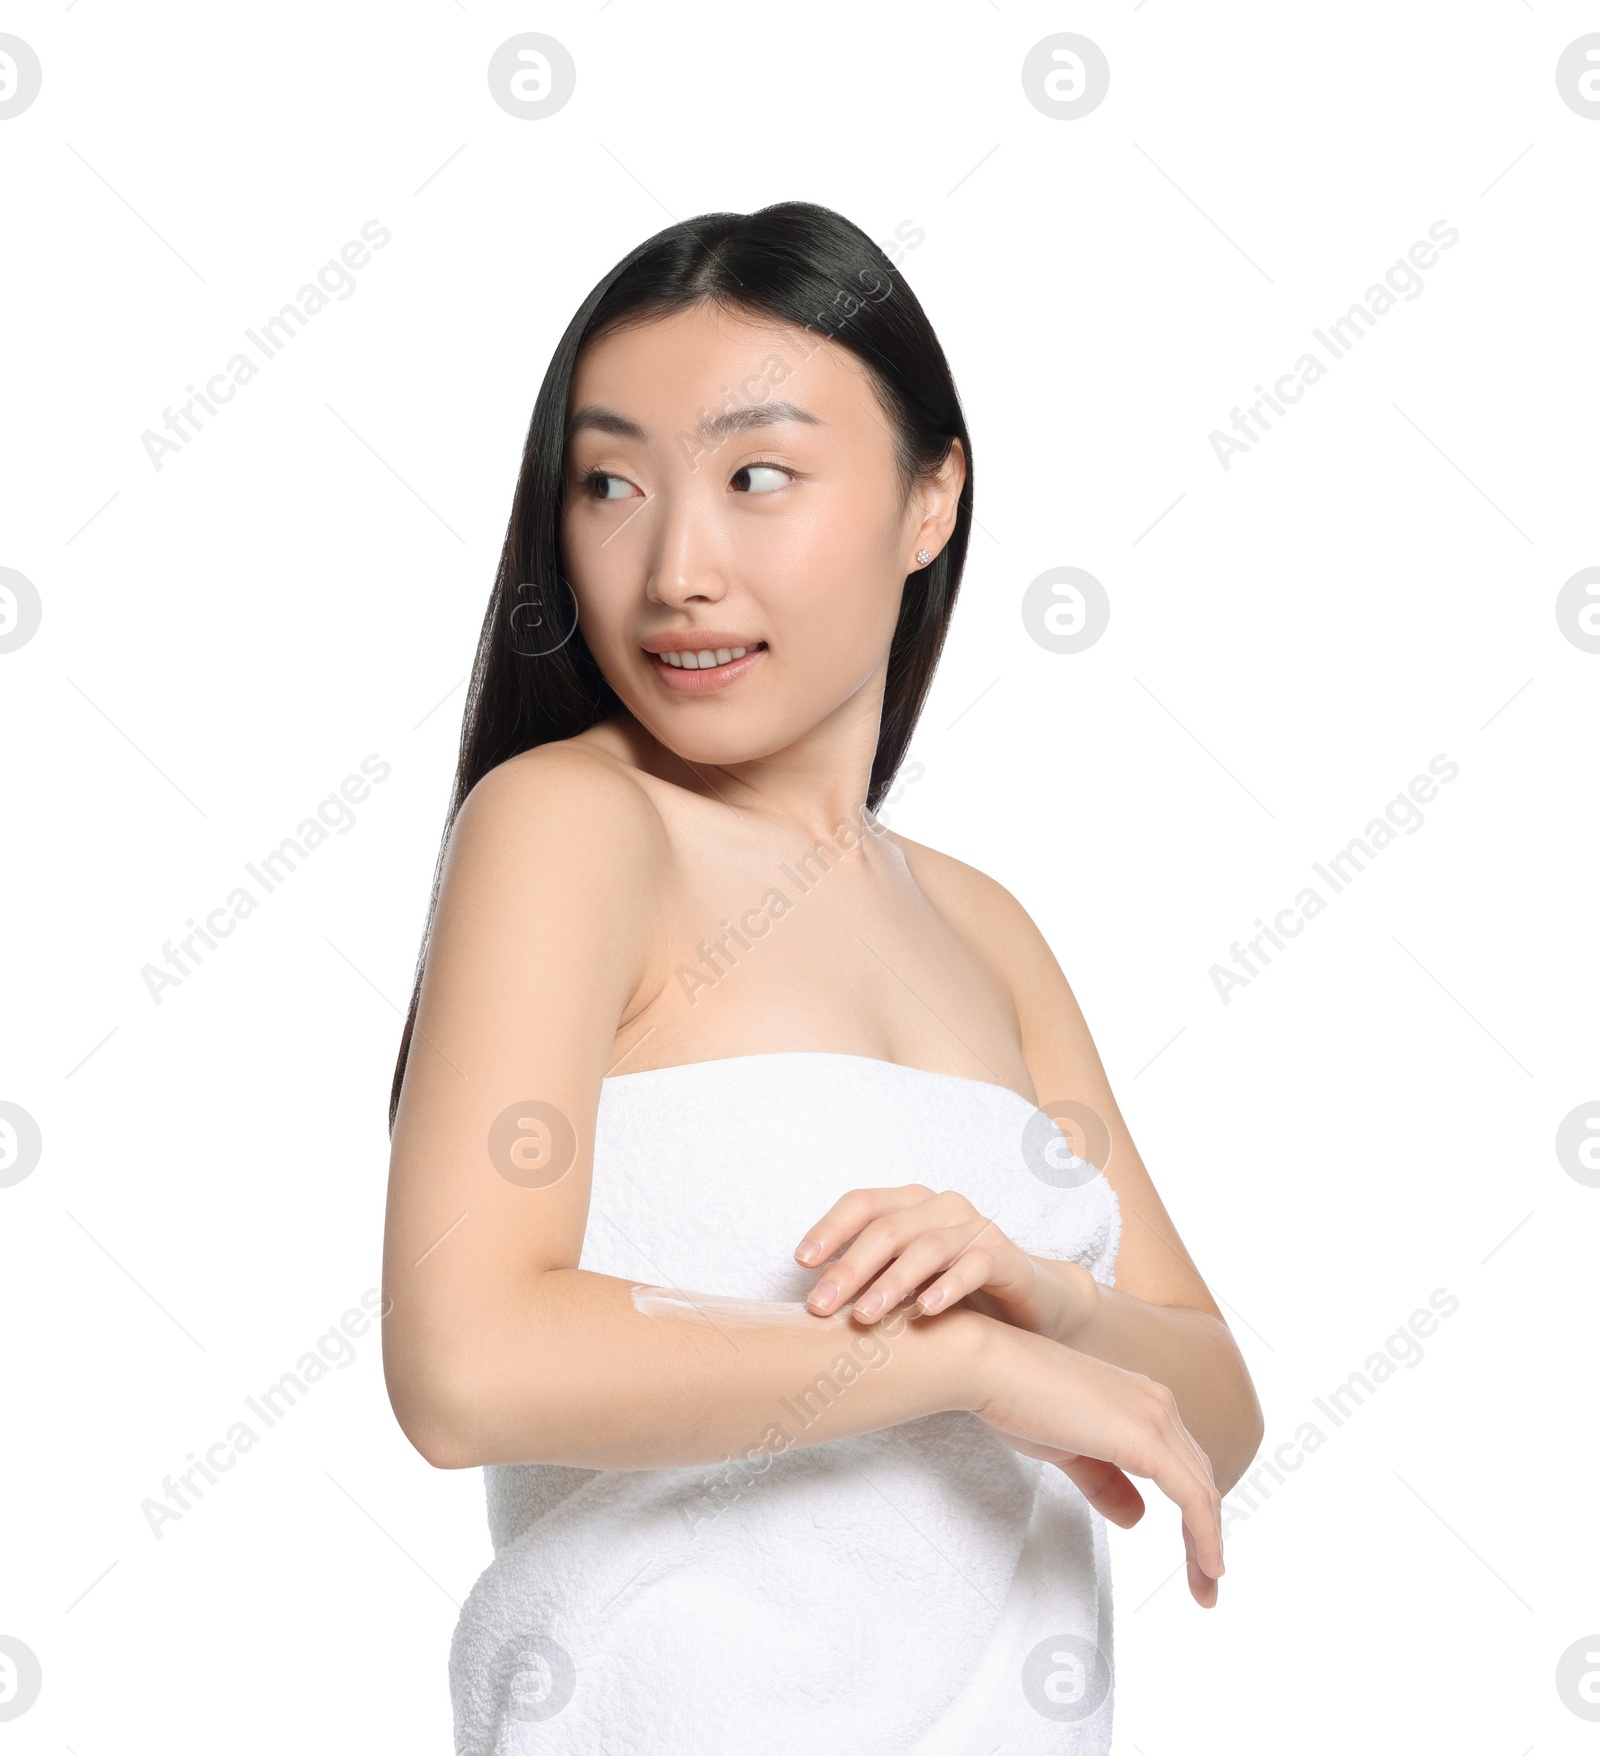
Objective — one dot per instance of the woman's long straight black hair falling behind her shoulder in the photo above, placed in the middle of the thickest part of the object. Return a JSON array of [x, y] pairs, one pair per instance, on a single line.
[[535, 680]]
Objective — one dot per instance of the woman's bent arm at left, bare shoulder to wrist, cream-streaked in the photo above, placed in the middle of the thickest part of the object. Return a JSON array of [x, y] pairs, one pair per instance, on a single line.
[[498, 1348]]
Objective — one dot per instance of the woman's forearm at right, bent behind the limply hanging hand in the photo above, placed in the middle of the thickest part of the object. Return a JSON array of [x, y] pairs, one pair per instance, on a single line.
[[1190, 1351]]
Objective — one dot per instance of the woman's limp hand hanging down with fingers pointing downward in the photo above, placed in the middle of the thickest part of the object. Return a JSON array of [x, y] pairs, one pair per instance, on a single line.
[[1097, 1421]]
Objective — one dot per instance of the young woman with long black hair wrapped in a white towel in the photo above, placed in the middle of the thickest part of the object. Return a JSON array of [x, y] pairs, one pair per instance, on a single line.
[[732, 1228]]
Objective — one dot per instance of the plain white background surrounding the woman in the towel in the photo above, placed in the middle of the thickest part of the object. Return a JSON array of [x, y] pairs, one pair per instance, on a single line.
[[1292, 640]]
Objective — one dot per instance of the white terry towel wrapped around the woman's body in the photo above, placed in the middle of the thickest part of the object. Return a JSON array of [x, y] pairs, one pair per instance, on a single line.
[[919, 1590]]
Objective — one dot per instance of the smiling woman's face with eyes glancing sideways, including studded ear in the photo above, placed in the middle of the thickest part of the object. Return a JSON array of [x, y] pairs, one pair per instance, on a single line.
[[781, 531]]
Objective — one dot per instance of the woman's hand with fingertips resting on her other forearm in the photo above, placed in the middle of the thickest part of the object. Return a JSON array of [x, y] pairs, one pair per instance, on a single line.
[[911, 1239]]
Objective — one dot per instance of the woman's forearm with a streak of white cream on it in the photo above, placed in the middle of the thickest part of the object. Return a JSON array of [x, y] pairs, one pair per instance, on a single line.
[[572, 1371]]
